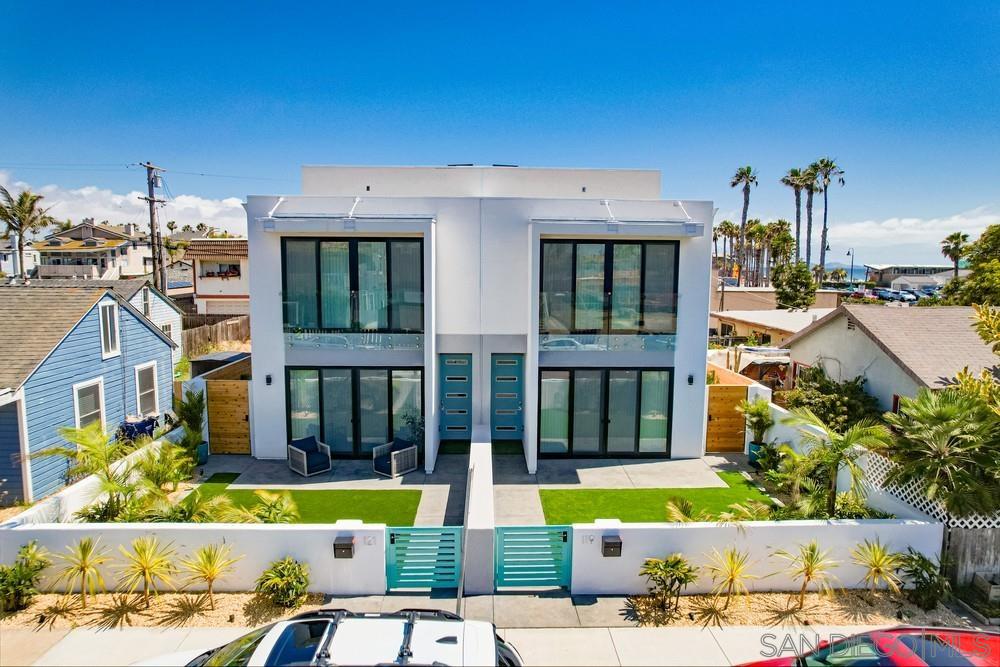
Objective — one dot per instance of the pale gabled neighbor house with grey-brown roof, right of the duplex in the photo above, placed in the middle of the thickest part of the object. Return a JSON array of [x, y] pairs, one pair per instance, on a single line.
[[897, 350]]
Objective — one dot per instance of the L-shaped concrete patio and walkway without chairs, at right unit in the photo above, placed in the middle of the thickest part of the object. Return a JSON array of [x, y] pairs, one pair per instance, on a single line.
[[515, 492]]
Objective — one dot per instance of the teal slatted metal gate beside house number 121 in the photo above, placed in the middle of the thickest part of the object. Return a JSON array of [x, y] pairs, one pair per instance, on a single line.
[[423, 557]]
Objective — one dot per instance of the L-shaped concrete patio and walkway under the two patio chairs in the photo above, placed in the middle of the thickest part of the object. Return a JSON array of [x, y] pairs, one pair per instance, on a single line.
[[442, 497]]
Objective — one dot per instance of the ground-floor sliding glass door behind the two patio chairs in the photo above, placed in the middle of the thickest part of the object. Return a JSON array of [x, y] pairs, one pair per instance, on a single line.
[[353, 410]]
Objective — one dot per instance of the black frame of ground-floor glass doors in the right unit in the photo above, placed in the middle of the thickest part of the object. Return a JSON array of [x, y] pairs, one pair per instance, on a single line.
[[605, 378]]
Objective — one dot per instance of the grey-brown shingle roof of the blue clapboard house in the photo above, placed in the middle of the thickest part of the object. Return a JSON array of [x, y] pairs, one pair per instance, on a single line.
[[33, 323]]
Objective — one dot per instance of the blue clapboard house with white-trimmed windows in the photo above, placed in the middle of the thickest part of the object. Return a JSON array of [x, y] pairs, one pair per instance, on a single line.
[[71, 356]]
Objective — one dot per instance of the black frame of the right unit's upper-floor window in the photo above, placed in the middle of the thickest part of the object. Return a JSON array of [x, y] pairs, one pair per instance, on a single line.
[[609, 245]]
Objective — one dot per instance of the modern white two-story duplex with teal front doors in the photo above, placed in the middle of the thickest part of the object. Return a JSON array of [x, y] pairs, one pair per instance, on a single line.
[[565, 309]]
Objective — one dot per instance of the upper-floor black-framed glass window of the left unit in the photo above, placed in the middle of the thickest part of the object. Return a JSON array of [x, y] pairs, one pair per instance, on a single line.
[[353, 285]]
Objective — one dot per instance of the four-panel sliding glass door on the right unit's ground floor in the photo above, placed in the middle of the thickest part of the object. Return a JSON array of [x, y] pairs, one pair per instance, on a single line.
[[613, 412]]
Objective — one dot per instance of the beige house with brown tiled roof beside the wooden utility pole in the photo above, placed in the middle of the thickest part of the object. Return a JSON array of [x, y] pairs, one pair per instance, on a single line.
[[221, 279]]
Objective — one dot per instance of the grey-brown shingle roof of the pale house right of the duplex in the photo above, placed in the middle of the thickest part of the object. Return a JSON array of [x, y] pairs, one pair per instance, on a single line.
[[931, 344]]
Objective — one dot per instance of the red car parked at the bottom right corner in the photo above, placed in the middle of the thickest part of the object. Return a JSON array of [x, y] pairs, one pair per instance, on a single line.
[[902, 646]]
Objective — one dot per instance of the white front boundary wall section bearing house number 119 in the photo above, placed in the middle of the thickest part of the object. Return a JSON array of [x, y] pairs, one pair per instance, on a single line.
[[595, 575]]
